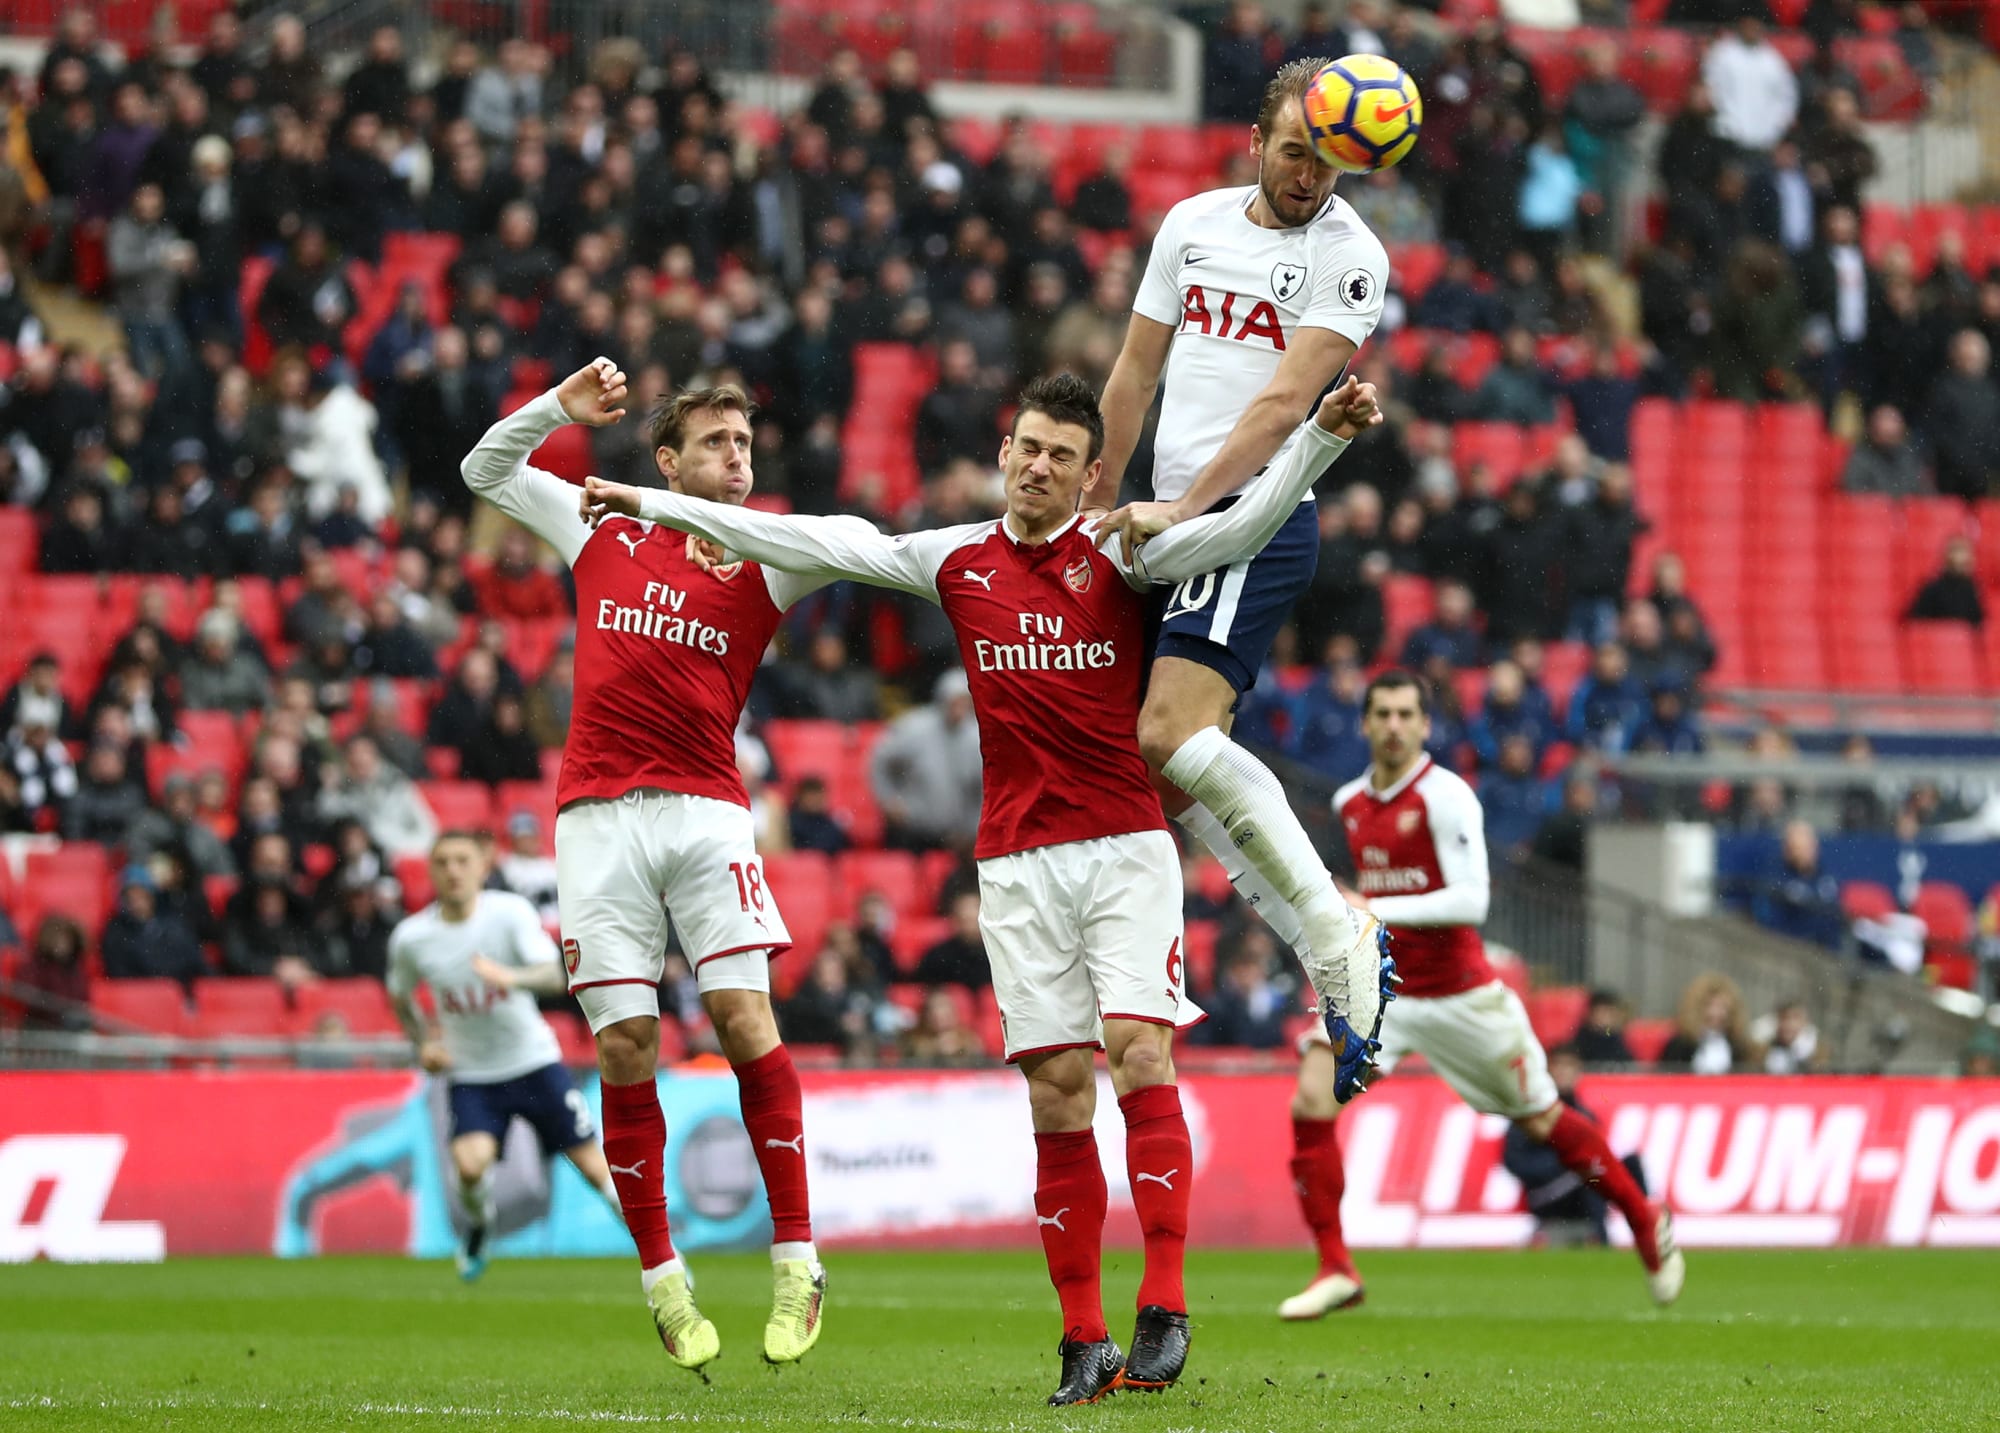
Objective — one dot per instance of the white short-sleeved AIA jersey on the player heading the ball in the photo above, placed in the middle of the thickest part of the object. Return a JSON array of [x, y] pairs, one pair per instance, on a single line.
[[1235, 295]]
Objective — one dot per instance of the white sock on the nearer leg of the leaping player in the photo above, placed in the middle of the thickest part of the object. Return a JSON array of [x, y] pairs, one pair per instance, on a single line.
[[1249, 804]]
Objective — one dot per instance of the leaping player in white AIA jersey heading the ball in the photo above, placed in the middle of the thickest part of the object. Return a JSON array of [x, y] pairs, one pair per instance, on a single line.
[[1261, 297]]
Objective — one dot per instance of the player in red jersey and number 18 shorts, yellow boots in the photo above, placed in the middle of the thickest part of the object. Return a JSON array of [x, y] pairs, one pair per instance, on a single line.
[[653, 810]]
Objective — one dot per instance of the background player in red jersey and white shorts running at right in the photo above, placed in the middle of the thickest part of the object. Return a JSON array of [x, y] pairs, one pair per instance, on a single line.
[[1419, 844]]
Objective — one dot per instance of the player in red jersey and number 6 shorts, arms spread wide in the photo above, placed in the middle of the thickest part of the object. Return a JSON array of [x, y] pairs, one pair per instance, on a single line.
[[1079, 878]]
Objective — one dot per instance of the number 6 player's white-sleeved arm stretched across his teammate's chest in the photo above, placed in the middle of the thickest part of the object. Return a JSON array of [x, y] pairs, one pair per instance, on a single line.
[[821, 547]]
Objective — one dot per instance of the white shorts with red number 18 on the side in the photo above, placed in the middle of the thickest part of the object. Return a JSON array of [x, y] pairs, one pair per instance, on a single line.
[[623, 866]]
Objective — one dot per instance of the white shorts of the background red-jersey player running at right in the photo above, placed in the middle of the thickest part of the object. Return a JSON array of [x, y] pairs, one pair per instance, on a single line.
[[1479, 1042]]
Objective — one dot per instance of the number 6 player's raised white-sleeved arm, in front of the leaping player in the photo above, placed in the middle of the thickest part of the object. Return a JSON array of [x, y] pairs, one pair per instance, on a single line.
[[1217, 539]]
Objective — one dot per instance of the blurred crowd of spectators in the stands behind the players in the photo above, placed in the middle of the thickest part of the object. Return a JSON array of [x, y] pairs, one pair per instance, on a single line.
[[289, 451]]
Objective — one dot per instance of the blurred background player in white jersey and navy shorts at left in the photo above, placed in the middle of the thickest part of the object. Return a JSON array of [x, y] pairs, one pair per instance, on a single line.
[[485, 958]]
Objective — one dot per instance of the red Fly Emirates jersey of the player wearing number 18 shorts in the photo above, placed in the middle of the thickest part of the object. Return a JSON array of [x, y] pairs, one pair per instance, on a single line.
[[665, 653]]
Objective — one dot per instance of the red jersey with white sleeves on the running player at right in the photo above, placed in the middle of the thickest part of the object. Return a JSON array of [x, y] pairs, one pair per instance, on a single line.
[[1421, 860]]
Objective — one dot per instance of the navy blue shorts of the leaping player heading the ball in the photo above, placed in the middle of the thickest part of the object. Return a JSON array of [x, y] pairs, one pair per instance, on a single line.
[[1229, 619]]
